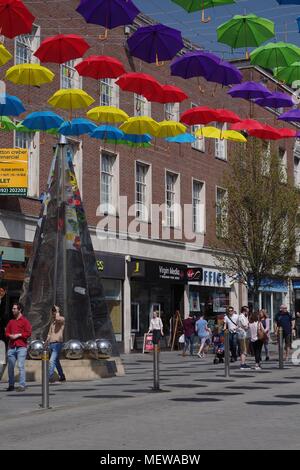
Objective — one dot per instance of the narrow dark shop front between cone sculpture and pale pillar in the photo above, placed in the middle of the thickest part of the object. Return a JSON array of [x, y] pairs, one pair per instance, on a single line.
[[112, 272]]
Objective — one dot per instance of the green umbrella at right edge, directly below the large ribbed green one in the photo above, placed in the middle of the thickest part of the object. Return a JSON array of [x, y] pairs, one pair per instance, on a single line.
[[275, 54]]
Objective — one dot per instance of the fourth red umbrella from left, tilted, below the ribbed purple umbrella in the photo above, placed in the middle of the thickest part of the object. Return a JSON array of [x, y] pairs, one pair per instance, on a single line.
[[139, 83]]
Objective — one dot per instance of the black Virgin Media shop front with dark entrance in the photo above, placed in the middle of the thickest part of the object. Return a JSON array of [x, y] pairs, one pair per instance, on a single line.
[[157, 287]]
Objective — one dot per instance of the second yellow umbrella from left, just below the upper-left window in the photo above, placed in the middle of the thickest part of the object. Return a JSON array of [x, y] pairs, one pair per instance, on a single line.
[[29, 74]]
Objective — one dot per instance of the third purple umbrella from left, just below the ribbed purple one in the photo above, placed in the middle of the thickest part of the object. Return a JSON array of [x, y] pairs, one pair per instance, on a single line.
[[194, 64]]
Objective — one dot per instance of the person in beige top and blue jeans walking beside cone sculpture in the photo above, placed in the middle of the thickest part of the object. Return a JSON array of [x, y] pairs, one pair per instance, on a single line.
[[55, 341]]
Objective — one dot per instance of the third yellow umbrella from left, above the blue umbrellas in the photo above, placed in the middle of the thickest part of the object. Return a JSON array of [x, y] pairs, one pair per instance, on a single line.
[[71, 98]]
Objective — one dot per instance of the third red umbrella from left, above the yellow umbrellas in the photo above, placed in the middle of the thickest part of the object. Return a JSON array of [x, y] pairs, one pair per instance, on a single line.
[[100, 66]]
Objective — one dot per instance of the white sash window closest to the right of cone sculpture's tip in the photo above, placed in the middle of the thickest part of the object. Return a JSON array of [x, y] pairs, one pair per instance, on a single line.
[[109, 183]]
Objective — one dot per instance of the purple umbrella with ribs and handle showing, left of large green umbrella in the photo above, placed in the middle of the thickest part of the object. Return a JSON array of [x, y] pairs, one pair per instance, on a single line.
[[155, 43]]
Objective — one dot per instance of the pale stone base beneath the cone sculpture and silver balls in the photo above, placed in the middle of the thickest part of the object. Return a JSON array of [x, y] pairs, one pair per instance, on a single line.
[[74, 370]]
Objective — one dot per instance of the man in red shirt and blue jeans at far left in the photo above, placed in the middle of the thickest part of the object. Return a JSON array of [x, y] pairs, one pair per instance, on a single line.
[[18, 330]]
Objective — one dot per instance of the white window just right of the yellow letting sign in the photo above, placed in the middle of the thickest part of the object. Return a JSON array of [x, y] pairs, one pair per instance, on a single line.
[[30, 141]]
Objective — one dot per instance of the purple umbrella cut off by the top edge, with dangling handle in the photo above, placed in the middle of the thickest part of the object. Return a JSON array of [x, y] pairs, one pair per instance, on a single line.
[[108, 13]]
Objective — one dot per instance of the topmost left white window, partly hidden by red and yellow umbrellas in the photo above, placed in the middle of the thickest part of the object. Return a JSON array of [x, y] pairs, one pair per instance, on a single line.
[[26, 45]]
